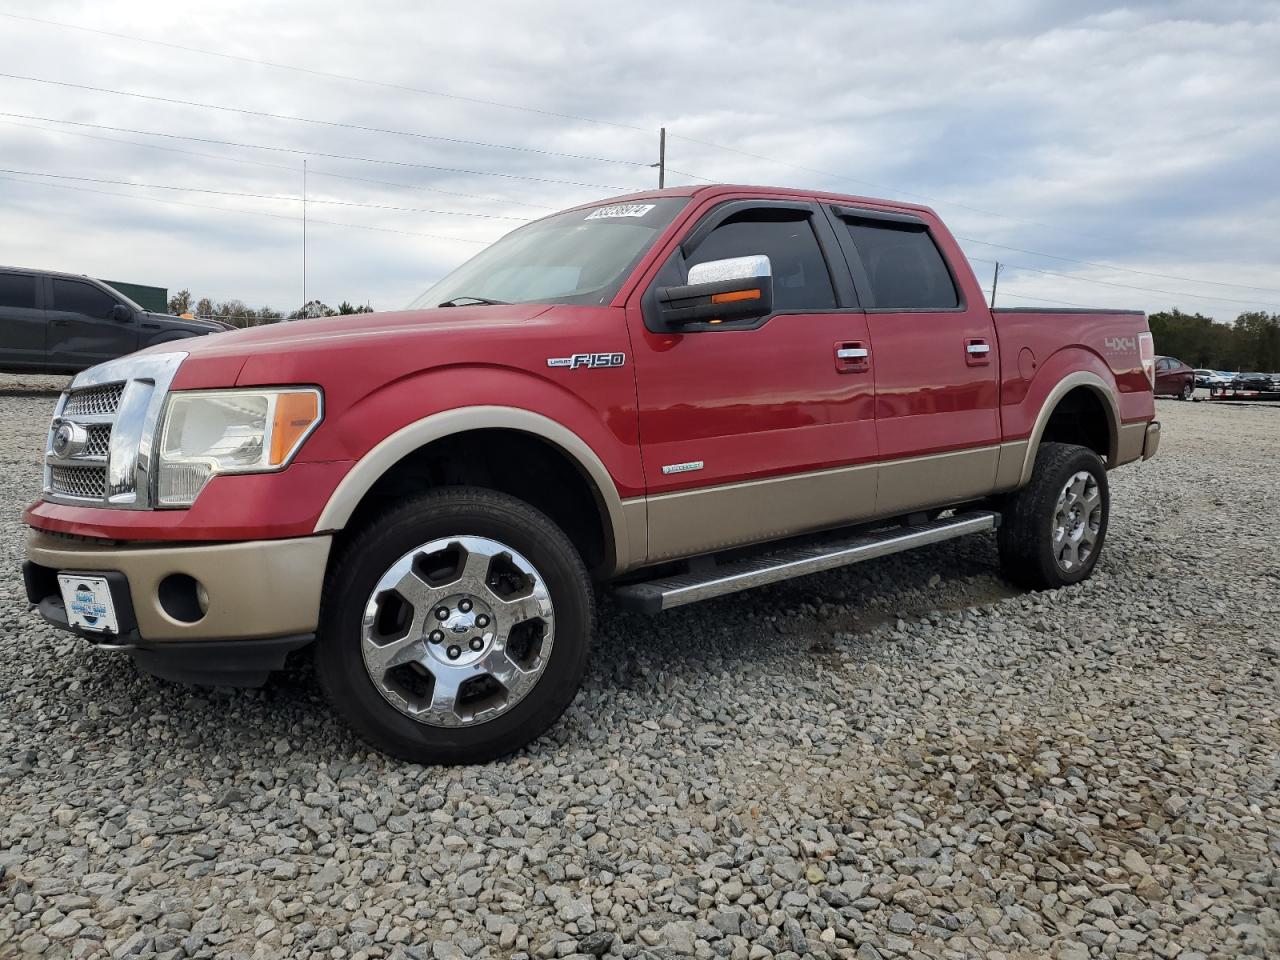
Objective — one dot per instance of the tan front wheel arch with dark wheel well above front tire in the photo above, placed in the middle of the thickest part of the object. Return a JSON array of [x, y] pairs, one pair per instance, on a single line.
[[513, 451]]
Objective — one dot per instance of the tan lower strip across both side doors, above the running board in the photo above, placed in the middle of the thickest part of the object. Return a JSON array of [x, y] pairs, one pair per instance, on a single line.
[[733, 515]]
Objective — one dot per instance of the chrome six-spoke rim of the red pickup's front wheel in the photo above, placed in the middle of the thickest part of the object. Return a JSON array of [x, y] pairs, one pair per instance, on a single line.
[[458, 632]]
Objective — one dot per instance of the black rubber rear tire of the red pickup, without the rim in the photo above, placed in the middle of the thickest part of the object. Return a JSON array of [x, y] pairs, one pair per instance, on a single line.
[[1028, 556]]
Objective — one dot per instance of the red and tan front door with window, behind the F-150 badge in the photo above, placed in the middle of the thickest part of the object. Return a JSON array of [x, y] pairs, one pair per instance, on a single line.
[[764, 428]]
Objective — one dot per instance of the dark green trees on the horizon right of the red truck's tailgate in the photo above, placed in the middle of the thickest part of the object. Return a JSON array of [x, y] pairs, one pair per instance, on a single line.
[[1252, 344]]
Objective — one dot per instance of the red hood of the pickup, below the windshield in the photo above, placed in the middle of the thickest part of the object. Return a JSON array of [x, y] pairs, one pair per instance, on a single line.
[[340, 333]]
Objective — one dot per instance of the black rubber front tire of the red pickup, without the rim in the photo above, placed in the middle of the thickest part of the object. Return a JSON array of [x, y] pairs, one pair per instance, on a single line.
[[355, 573]]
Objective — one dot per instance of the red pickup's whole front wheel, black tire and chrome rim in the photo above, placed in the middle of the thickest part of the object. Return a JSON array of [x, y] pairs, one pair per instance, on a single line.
[[456, 628]]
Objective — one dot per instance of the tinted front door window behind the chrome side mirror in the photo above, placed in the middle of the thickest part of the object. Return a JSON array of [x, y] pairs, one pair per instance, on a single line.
[[801, 277]]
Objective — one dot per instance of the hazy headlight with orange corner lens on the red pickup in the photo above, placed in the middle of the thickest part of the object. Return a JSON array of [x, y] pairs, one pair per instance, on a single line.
[[231, 432]]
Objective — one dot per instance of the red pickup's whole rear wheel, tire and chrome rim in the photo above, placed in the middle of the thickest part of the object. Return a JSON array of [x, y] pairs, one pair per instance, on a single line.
[[1053, 531]]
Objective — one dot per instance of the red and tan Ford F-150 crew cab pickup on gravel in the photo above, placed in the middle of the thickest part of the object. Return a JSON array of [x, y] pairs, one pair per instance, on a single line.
[[671, 396]]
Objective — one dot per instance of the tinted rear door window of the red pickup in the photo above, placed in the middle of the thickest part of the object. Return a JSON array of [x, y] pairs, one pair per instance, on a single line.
[[903, 266]]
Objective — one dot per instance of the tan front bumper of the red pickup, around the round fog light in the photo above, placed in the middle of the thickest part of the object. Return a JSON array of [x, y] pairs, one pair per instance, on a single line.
[[257, 589]]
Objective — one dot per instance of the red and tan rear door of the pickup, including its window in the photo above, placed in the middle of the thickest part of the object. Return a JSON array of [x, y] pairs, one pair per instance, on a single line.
[[934, 358]]
